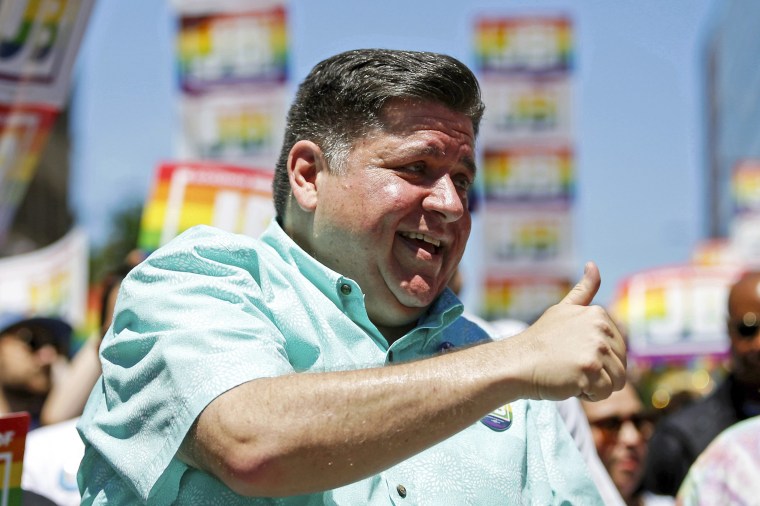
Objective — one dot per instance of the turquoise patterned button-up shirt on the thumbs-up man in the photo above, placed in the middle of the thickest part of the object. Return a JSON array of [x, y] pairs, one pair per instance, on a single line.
[[212, 310]]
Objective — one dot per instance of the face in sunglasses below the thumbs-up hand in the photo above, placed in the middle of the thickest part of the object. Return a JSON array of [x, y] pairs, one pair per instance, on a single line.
[[621, 435]]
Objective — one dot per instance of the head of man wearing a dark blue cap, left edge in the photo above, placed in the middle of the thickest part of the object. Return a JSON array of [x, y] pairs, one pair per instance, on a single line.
[[29, 348]]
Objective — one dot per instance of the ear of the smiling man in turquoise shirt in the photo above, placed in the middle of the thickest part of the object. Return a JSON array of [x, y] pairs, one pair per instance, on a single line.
[[305, 162]]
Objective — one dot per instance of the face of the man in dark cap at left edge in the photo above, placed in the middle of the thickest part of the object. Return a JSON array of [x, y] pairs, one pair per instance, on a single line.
[[24, 367]]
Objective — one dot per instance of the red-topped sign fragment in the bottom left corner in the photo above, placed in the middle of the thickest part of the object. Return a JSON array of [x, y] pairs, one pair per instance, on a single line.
[[13, 429]]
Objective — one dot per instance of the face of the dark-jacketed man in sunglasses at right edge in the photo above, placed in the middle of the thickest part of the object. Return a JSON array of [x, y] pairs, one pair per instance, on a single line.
[[744, 330]]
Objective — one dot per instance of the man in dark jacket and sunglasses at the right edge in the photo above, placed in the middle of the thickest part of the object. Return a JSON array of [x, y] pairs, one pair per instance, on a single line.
[[682, 436]]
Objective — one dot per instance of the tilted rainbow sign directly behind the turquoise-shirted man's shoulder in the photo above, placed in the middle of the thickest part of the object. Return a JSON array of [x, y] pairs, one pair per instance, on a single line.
[[233, 198]]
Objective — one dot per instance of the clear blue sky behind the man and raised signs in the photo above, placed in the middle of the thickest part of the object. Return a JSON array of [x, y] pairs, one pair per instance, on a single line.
[[637, 110]]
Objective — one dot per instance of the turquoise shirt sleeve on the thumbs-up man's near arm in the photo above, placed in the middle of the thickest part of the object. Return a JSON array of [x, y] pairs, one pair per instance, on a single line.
[[190, 324]]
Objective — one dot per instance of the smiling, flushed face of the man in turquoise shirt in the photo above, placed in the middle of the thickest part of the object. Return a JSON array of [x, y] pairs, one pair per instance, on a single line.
[[396, 220]]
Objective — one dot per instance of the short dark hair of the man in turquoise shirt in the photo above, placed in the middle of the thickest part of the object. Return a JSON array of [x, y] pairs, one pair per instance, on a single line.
[[343, 97]]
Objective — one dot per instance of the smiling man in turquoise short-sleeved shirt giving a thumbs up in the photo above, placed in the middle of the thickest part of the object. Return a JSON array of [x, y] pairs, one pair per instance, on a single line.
[[314, 364]]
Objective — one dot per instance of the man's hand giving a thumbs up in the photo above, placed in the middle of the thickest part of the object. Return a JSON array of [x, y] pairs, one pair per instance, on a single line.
[[574, 348]]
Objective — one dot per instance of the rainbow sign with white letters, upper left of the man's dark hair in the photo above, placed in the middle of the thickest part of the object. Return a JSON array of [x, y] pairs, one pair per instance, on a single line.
[[226, 48]]
